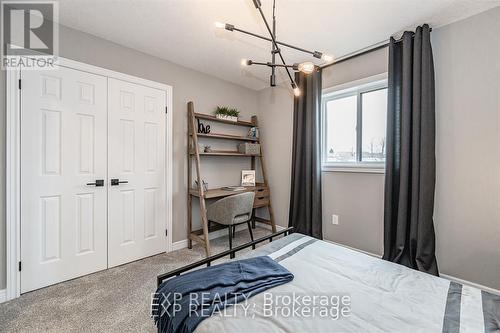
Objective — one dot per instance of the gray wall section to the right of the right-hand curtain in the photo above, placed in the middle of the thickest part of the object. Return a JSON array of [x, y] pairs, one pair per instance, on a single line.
[[467, 210]]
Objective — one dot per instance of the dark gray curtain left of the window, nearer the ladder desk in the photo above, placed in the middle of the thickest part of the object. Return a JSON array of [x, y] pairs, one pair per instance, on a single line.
[[305, 200]]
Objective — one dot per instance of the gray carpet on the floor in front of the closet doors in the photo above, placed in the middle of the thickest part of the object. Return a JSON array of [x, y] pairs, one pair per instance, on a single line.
[[114, 300]]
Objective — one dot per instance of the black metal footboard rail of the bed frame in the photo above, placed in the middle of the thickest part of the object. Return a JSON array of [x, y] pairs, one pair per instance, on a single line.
[[231, 253]]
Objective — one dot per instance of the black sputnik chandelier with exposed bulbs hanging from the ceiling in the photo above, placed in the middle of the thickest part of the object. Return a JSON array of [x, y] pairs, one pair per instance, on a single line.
[[306, 67]]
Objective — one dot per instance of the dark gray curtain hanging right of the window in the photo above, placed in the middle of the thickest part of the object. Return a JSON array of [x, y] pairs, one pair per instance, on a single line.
[[410, 168]]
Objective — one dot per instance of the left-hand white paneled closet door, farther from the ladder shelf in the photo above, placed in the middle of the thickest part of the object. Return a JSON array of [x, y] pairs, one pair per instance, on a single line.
[[63, 147]]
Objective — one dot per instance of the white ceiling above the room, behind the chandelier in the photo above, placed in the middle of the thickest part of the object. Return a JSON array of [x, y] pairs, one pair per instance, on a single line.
[[183, 31]]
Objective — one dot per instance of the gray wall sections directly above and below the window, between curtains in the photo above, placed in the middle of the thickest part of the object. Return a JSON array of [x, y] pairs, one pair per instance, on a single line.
[[357, 198]]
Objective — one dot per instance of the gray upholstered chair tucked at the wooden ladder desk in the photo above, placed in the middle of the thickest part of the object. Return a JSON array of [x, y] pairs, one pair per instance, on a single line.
[[231, 211]]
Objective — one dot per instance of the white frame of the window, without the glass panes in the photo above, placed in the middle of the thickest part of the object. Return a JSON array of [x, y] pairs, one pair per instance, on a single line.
[[354, 88]]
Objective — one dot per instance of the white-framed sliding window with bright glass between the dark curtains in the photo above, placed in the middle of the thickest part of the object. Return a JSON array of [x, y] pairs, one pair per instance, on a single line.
[[354, 126]]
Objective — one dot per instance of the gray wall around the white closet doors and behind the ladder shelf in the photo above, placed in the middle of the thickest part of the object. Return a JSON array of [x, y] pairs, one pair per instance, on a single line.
[[206, 91]]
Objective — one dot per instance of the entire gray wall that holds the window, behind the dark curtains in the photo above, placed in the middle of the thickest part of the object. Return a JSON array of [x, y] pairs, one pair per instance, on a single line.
[[467, 213]]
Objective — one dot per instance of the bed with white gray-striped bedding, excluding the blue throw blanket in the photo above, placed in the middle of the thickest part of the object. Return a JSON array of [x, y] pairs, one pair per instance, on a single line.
[[379, 296]]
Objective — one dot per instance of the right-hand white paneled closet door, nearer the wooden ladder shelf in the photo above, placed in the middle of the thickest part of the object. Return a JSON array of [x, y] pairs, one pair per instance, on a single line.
[[137, 204]]
